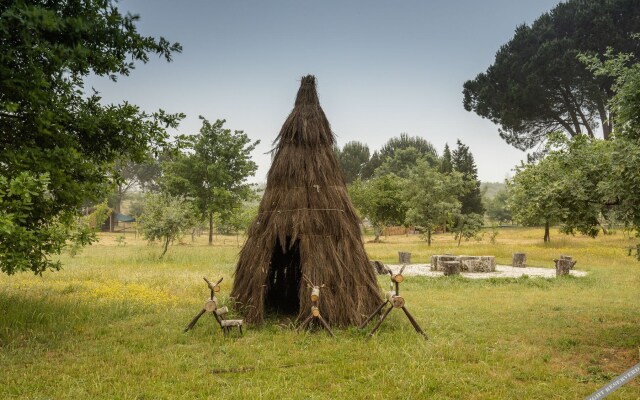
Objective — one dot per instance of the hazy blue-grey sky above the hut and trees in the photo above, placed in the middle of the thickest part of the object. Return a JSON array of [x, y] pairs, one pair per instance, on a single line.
[[382, 67]]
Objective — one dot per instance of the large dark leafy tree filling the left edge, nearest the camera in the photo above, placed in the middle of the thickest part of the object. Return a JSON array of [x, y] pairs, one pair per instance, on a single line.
[[58, 144]]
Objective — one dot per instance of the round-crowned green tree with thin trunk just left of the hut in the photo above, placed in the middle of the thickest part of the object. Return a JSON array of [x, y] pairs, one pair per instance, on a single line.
[[212, 168]]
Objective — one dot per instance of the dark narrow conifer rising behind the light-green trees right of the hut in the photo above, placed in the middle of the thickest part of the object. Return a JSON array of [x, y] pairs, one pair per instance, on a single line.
[[463, 162]]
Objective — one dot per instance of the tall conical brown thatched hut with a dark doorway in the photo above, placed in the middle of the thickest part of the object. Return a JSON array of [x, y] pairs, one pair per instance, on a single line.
[[306, 229]]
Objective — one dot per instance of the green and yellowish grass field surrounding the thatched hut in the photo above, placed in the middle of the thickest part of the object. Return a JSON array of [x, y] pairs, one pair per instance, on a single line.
[[109, 326]]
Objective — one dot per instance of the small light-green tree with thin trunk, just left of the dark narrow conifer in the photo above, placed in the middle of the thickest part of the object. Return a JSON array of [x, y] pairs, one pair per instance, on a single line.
[[431, 198]]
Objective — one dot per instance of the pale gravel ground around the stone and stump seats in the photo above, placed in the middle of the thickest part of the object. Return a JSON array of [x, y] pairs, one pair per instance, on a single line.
[[502, 271]]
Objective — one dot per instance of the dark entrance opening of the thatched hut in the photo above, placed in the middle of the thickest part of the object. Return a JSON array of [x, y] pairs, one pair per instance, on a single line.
[[285, 276]]
